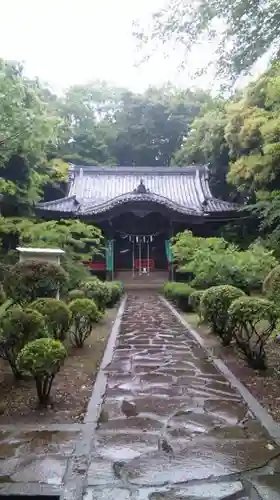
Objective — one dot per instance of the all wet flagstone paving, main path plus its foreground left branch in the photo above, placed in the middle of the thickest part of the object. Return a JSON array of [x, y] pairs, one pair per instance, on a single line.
[[171, 427]]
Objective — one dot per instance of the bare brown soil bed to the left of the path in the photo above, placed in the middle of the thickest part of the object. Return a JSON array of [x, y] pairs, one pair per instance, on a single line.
[[71, 389]]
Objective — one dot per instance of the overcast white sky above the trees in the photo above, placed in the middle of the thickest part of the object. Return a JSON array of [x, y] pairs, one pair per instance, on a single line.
[[74, 41]]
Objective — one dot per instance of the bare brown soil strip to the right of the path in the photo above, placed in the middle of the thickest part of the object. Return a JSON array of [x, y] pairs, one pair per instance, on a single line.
[[264, 385]]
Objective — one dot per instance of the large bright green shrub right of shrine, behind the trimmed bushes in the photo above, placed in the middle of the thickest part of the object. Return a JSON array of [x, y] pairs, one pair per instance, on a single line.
[[213, 262]]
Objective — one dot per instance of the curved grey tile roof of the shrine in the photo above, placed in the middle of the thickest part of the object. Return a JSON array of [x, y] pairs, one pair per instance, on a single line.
[[94, 190]]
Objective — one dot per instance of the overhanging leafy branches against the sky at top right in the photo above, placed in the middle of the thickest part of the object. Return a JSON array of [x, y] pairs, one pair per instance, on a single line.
[[242, 30]]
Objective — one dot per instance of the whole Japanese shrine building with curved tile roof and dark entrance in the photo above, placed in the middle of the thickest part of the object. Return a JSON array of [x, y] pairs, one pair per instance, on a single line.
[[138, 210]]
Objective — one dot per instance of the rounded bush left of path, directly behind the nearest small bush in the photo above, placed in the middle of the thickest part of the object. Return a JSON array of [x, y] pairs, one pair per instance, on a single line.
[[57, 315]]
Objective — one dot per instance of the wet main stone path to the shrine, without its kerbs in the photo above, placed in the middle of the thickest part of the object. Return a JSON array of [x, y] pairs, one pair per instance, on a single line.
[[171, 426]]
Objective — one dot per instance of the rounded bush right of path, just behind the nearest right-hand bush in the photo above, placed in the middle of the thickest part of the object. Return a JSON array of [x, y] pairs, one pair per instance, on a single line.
[[214, 309]]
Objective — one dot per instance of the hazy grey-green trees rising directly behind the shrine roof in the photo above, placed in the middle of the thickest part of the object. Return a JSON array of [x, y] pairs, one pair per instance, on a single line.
[[115, 126]]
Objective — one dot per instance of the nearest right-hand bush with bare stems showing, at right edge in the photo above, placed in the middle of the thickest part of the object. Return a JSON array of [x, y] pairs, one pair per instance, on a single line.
[[252, 321]]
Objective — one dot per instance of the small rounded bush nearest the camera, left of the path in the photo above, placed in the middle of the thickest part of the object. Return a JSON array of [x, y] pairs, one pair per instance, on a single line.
[[43, 359]]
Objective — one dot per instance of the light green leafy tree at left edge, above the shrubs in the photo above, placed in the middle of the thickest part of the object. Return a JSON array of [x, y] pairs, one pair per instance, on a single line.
[[28, 128]]
